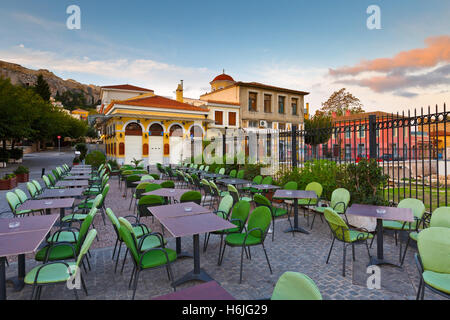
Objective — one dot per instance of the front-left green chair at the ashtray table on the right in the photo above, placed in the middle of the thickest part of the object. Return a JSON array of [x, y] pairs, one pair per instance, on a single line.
[[342, 233]]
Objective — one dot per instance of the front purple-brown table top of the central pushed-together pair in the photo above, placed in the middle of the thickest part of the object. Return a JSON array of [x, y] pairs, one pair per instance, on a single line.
[[195, 224]]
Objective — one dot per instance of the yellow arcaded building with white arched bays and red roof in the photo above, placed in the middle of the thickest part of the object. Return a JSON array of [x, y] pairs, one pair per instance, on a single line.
[[147, 126]]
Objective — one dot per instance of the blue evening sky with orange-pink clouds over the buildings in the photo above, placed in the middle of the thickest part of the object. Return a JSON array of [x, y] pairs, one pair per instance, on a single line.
[[314, 46]]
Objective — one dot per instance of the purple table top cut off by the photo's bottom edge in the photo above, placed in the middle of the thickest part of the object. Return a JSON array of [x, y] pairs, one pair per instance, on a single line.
[[206, 291]]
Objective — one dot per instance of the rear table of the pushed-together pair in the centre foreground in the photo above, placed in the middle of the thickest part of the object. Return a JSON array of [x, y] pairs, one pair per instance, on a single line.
[[177, 210]]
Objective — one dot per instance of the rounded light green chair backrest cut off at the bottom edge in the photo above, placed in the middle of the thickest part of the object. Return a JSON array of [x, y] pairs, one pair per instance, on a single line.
[[295, 286]]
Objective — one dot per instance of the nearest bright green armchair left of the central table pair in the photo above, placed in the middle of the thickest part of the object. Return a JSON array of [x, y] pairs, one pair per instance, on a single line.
[[148, 259]]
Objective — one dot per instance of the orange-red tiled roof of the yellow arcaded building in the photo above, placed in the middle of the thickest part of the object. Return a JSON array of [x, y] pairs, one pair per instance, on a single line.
[[158, 102]]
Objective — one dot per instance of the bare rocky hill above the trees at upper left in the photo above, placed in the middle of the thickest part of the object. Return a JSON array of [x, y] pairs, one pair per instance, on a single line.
[[24, 76]]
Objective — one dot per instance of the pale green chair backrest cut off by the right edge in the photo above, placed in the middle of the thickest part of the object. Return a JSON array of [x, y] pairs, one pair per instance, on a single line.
[[434, 249]]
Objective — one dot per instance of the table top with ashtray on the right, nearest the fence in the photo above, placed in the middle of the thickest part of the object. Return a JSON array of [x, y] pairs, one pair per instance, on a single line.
[[391, 213]]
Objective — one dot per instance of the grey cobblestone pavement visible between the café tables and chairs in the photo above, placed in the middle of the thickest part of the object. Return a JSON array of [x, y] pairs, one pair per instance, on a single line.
[[302, 253]]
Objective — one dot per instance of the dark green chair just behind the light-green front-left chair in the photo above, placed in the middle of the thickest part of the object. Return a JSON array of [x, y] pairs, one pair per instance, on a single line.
[[66, 243]]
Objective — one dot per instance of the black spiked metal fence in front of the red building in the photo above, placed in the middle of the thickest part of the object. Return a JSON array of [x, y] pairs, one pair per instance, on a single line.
[[411, 148]]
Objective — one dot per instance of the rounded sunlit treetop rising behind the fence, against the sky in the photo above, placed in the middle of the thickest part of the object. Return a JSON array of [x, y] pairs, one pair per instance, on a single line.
[[341, 101]]
